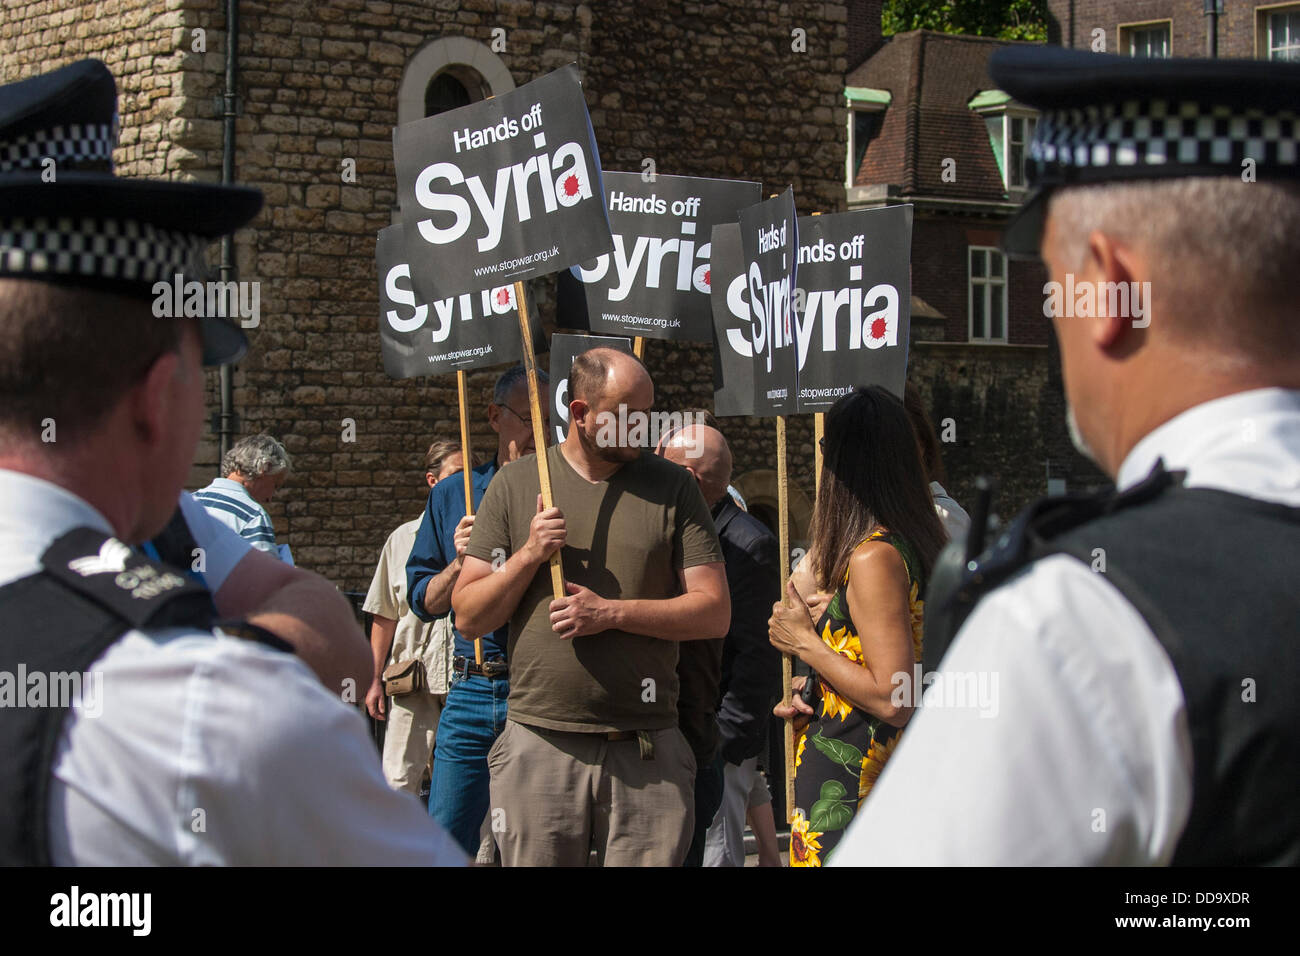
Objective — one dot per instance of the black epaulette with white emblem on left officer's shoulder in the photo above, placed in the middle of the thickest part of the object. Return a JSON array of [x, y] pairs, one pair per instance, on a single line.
[[128, 585]]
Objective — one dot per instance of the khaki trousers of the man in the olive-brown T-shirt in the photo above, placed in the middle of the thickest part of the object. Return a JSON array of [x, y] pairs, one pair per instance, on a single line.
[[557, 797]]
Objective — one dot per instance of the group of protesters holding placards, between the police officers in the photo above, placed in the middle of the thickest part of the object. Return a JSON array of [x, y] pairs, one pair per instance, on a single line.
[[629, 719]]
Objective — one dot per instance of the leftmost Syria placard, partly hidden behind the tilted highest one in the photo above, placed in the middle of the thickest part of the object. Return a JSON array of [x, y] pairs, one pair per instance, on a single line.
[[460, 332]]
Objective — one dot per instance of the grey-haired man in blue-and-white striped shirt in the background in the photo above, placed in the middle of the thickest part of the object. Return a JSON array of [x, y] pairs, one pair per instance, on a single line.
[[254, 470]]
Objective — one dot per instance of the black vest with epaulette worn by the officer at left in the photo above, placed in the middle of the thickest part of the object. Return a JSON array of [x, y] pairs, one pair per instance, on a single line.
[[57, 624]]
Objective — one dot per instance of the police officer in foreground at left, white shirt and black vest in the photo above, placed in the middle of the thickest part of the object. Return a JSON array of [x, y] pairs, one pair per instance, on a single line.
[[138, 729]]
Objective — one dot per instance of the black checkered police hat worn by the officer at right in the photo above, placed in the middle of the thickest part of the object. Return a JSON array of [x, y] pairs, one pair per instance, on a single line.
[[1113, 119]]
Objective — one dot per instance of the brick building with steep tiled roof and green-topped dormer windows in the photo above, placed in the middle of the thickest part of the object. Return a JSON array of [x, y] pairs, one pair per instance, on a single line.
[[926, 127]]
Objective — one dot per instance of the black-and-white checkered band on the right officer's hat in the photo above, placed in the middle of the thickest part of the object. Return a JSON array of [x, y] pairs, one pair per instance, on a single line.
[[1071, 144]]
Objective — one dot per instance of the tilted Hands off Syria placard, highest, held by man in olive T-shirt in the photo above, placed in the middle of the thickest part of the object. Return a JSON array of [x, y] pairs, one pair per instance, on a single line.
[[501, 191]]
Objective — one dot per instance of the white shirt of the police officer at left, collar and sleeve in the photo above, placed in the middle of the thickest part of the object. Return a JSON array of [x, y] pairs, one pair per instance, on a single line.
[[209, 750]]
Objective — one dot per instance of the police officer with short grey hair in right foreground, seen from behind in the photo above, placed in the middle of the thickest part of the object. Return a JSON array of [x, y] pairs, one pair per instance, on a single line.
[[1124, 687]]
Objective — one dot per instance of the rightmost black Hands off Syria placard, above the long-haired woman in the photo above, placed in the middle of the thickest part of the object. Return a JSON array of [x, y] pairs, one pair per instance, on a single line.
[[853, 304]]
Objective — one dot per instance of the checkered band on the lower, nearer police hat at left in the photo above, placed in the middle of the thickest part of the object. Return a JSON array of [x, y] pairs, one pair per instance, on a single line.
[[99, 249]]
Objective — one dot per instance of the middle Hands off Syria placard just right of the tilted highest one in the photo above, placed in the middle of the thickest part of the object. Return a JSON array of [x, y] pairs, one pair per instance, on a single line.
[[657, 280]]
